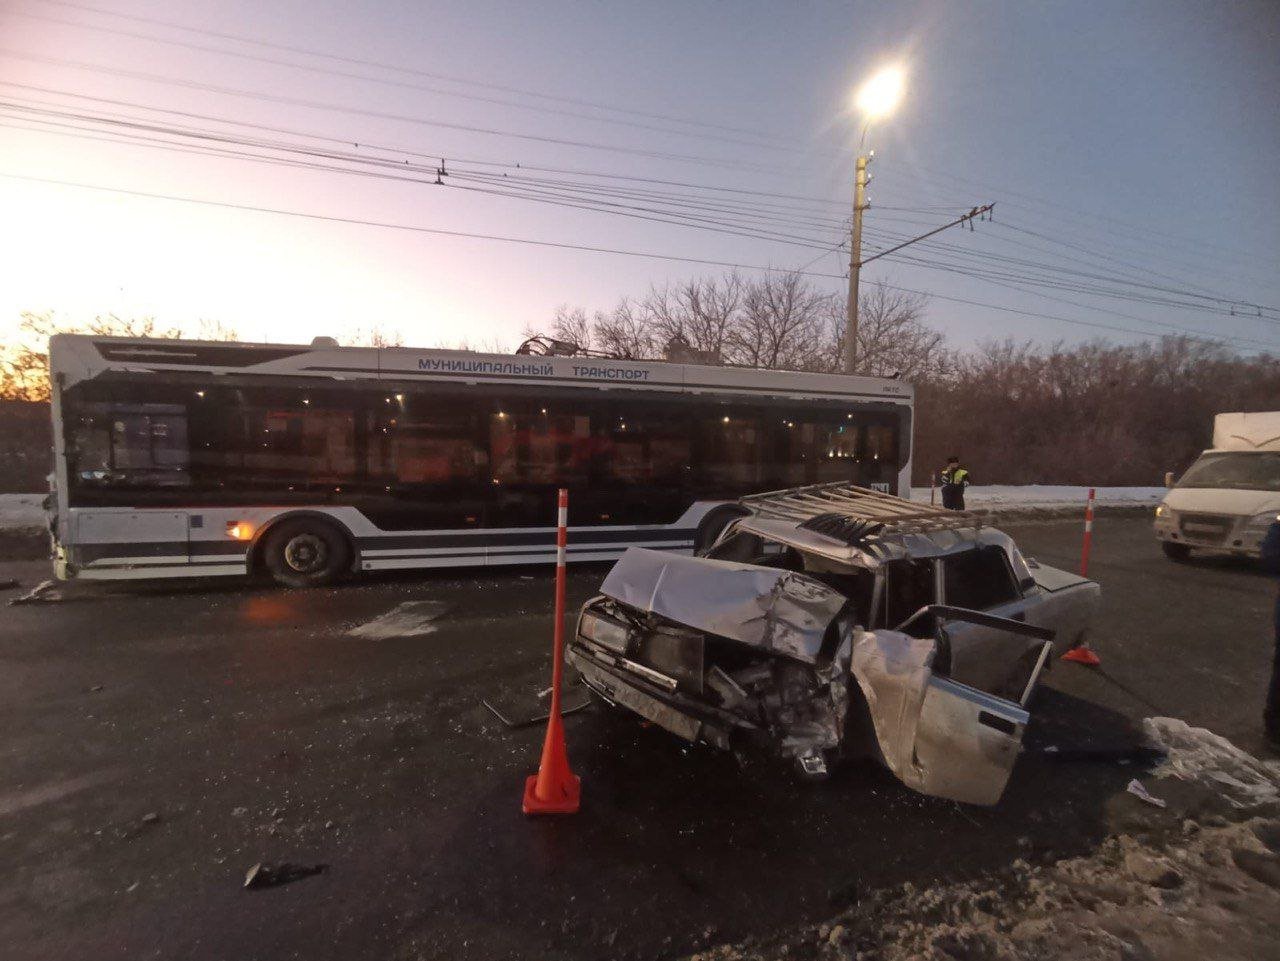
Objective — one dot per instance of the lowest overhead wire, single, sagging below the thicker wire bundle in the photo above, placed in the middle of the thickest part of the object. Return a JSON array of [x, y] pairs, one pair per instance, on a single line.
[[557, 245]]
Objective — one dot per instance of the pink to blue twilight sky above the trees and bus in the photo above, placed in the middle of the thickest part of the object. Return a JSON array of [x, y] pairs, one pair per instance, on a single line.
[[1136, 143]]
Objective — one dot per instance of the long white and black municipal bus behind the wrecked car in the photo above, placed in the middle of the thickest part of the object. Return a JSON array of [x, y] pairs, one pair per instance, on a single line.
[[179, 459]]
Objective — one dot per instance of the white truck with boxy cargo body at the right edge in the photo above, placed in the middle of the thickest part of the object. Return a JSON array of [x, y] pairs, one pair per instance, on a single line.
[[1231, 496]]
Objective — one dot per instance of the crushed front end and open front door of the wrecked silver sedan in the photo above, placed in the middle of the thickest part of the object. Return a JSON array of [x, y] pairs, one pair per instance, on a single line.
[[746, 656]]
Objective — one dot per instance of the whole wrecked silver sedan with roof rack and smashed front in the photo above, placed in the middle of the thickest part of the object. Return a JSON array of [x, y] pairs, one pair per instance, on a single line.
[[835, 621]]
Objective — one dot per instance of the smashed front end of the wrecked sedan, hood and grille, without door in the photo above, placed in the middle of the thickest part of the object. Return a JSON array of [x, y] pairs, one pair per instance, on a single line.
[[717, 652]]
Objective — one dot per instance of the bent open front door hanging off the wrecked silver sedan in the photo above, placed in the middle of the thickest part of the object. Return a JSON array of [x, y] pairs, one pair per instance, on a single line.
[[939, 736]]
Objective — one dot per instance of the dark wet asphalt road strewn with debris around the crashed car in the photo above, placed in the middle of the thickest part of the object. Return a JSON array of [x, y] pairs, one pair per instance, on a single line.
[[257, 727]]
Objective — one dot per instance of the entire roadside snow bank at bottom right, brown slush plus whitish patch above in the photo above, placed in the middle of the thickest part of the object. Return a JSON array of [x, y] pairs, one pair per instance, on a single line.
[[1188, 885]]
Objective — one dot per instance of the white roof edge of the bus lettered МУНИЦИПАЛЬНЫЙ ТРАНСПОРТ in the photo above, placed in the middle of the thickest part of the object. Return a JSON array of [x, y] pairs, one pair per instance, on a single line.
[[84, 356]]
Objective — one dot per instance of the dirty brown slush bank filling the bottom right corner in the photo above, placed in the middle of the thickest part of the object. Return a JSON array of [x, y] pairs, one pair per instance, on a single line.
[[1206, 894]]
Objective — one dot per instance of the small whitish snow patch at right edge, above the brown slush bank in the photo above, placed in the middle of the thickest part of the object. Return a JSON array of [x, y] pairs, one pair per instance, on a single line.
[[1200, 756]]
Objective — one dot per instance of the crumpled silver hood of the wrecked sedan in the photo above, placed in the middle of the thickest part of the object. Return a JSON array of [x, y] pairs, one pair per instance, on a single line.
[[781, 612]]
